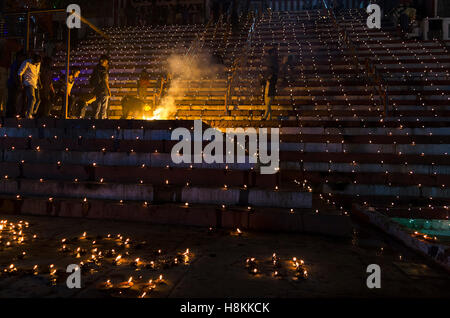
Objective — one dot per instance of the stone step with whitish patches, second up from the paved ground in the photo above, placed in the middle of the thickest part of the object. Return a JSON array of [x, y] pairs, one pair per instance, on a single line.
[[151, 193]]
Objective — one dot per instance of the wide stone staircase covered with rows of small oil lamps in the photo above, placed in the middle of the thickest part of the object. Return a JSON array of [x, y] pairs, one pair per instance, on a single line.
[[362, 116]]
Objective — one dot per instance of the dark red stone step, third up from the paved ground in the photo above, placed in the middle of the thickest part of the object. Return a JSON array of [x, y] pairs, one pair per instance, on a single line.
[[136, 175]]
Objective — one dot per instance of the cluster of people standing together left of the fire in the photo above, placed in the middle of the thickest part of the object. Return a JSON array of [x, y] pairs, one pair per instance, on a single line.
[[33, 93]]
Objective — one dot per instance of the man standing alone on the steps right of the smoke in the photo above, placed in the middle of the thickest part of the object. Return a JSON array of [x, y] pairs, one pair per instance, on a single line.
[[270, 81]]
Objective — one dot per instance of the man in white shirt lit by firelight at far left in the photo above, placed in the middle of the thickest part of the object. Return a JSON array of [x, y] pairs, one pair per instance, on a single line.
[[29, 78]]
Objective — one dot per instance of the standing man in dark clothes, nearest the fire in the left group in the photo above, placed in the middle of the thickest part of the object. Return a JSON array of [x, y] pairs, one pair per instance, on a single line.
[[100, 82]]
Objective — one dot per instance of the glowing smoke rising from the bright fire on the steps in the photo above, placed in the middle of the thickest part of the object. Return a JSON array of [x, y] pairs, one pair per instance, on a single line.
[[183, 71]]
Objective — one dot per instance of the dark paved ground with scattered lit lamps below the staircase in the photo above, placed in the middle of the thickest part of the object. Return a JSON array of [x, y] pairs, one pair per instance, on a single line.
[[216, 264]]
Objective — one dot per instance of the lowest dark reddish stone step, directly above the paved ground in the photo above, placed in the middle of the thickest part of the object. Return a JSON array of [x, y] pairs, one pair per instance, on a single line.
[[260, 219]]
